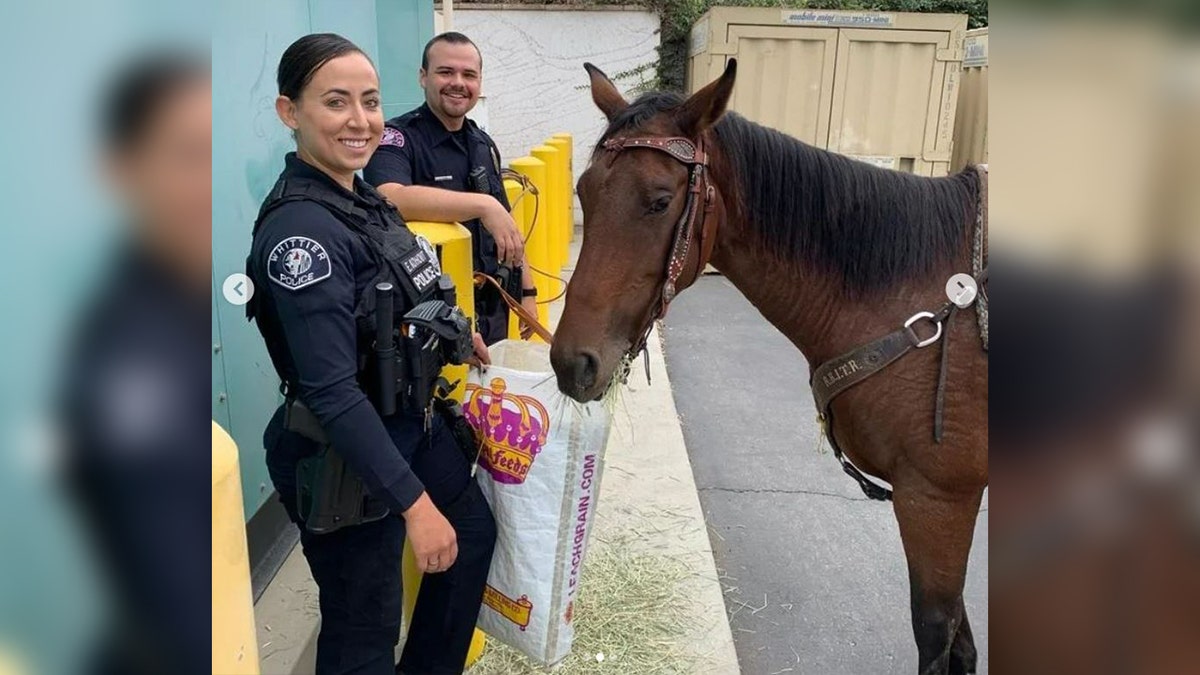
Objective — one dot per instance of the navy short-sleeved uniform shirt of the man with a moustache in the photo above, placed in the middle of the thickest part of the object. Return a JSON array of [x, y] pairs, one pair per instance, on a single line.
[[417, 150]]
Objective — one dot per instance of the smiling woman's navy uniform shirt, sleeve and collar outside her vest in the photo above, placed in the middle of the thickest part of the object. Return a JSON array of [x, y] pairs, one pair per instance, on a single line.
[[309, 271]]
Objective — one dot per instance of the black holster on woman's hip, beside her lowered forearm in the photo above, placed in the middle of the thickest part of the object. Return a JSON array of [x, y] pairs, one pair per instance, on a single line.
[[329, 495]]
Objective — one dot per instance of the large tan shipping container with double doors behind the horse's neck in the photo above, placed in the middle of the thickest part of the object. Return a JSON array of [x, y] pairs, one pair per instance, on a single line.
[[881, 87]]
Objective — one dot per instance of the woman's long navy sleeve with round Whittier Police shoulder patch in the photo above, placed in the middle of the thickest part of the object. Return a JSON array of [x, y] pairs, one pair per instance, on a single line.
[[309, 266]]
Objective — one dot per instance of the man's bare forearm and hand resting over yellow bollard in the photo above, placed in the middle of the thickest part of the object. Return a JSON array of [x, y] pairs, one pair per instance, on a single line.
[[419, 202]]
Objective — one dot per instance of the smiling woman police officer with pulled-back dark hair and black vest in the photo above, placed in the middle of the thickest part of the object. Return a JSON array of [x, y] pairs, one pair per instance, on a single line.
[[322, 243]]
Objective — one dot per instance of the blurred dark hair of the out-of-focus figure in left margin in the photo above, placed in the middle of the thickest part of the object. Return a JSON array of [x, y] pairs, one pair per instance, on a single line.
[[141, 89]]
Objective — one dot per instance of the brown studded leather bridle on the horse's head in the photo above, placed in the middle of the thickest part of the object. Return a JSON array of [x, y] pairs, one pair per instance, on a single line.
[[694, 224]]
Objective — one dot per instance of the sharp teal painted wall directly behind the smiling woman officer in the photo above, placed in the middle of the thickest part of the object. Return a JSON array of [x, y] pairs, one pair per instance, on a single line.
[[249, 145]]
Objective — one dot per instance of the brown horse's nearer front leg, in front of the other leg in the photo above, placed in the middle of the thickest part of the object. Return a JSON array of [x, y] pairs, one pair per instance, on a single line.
[[937, 531]]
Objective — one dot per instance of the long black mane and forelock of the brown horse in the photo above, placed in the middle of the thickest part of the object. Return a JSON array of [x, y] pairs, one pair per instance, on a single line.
[[875, 228]]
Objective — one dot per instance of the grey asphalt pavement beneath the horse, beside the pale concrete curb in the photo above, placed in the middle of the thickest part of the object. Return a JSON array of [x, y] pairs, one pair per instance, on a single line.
[[814, 574]]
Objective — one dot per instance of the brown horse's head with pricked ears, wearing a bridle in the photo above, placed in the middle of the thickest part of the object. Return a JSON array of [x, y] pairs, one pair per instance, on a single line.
[[645, 208]]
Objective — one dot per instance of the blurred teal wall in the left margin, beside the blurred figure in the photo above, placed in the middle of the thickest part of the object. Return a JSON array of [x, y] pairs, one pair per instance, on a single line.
[[59, 229]]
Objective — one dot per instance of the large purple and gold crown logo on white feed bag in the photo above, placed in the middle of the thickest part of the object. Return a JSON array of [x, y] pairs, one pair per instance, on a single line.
[[514, 428]]
